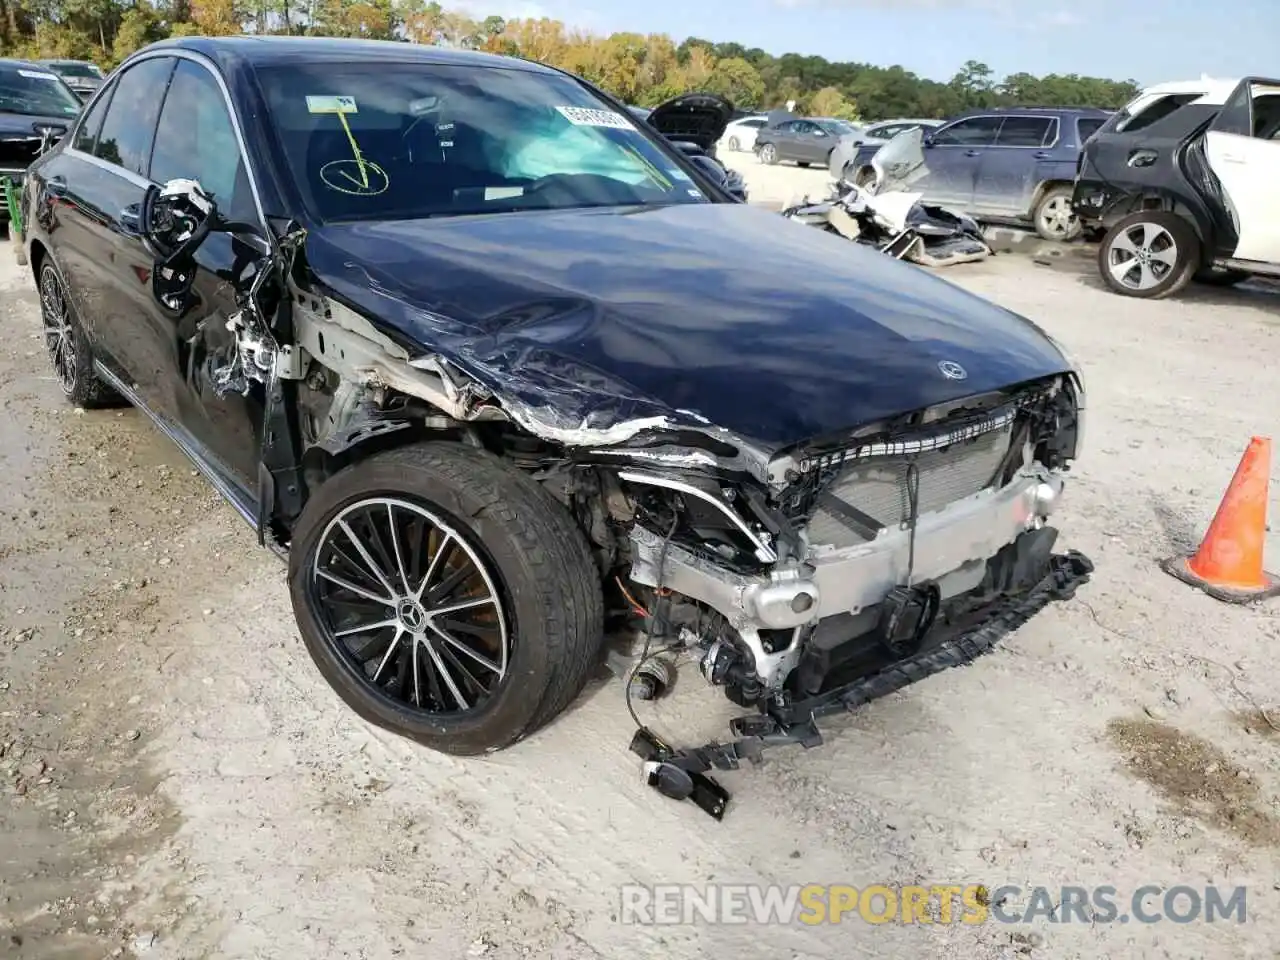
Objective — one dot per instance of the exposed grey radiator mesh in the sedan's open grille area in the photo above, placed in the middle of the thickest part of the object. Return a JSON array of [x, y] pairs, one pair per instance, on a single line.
[[879, 487]]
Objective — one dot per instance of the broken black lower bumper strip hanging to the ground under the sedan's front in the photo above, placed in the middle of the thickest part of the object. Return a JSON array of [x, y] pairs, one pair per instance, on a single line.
[[682, 774]]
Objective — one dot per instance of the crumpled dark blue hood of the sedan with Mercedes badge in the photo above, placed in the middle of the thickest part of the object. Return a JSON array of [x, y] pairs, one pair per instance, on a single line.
[[703, 313]]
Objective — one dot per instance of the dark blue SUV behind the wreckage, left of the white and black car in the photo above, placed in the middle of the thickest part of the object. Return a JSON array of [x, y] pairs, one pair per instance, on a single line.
[[1003, 164]]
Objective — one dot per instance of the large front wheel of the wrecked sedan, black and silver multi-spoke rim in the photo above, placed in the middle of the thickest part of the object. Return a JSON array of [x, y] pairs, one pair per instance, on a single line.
[[446, 597]]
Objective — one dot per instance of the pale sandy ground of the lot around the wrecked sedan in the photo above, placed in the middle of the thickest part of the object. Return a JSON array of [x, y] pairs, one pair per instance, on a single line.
[[176, 780]]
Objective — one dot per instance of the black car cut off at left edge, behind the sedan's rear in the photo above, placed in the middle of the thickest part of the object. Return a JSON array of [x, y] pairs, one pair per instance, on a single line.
[[36, 108]]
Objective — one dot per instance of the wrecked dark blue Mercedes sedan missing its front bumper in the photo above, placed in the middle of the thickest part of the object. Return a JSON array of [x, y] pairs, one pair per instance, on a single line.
[[513, 385]]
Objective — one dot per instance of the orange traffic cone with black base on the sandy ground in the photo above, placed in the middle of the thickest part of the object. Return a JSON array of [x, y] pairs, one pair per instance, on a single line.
[[1228, 565]]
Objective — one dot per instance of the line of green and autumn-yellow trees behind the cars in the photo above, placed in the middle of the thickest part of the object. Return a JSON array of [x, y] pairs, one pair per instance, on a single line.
[[639, 68]]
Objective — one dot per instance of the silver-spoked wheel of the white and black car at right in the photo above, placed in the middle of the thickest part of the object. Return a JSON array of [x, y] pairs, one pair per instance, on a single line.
[[1150, 254]]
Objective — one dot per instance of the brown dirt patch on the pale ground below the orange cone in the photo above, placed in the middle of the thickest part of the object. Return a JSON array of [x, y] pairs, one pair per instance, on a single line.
[[1196, 778]]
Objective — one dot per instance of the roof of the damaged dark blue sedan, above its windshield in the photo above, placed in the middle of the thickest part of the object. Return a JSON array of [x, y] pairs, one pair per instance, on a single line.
[[272, 51]]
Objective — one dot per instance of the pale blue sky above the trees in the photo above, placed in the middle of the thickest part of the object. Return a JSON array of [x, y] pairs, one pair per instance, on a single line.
[[1146, 42]]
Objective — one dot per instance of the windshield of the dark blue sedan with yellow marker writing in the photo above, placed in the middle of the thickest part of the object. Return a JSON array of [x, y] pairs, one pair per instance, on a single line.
[[413, 140]]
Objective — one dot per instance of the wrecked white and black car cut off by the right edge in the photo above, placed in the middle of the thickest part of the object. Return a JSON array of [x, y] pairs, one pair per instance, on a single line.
[[1183, 186]]
